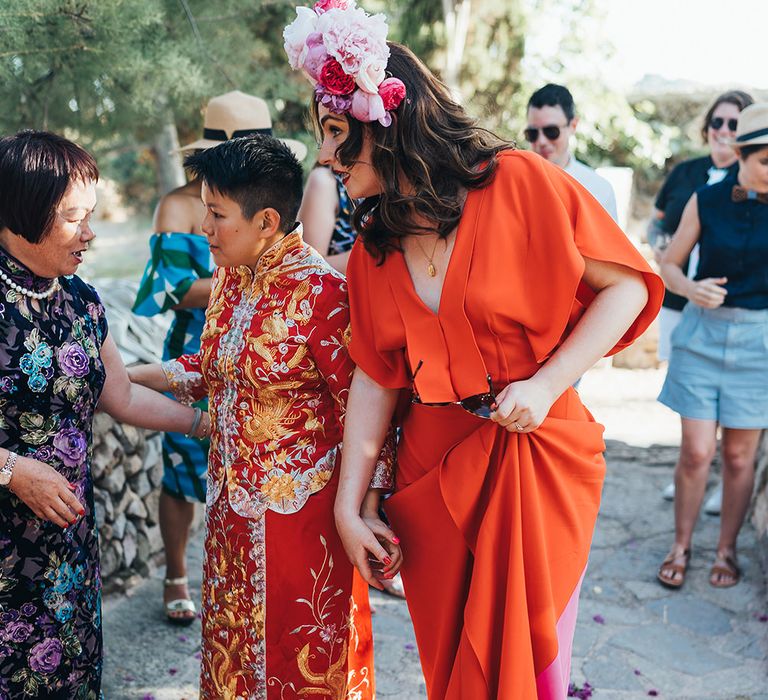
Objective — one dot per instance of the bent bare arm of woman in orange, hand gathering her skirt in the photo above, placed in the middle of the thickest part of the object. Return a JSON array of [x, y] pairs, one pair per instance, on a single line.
[[621, 295]]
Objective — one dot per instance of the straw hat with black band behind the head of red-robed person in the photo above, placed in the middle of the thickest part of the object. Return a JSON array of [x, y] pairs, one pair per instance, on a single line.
[[237, 114]]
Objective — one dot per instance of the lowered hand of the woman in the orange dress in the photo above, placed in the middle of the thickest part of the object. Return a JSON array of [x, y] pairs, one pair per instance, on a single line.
[[361, 543]]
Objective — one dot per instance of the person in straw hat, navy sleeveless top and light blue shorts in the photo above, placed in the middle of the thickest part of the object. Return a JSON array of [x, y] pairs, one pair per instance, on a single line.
[[717, 370]]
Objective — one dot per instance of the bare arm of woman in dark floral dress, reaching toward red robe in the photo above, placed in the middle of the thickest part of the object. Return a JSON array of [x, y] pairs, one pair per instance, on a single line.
[[138, 405]]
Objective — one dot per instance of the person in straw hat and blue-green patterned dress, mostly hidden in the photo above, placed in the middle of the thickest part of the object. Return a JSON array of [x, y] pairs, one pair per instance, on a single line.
[[178, 278]]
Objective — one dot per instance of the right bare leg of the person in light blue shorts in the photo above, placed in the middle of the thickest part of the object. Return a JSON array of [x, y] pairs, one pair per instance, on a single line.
[[739, 450]]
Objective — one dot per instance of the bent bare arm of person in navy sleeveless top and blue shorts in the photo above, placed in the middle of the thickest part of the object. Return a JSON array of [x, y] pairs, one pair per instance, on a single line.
[[709, 292]]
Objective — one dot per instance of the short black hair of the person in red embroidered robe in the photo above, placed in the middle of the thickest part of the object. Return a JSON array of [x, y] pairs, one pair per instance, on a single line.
[[256, 171]]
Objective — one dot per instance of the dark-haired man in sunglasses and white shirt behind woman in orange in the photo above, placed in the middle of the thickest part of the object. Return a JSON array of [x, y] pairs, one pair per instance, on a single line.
[[552, 121]]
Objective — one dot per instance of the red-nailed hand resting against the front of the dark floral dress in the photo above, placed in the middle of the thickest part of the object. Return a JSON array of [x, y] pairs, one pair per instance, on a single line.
[[47, 493]]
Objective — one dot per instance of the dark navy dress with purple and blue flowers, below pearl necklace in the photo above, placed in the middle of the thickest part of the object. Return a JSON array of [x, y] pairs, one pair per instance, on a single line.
[[51, 376]]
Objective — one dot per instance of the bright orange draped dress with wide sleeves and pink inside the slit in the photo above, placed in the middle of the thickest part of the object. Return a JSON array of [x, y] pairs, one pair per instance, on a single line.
[[495, 526]]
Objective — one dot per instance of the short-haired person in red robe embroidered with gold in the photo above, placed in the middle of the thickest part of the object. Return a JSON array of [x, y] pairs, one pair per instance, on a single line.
[[280, 620]]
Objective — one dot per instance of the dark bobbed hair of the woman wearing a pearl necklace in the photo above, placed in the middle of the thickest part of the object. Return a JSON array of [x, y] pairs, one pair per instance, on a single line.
[[36, 170]]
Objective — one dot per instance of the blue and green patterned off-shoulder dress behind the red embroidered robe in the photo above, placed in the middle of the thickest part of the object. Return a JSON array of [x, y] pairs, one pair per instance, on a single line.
[[176, 261]]
